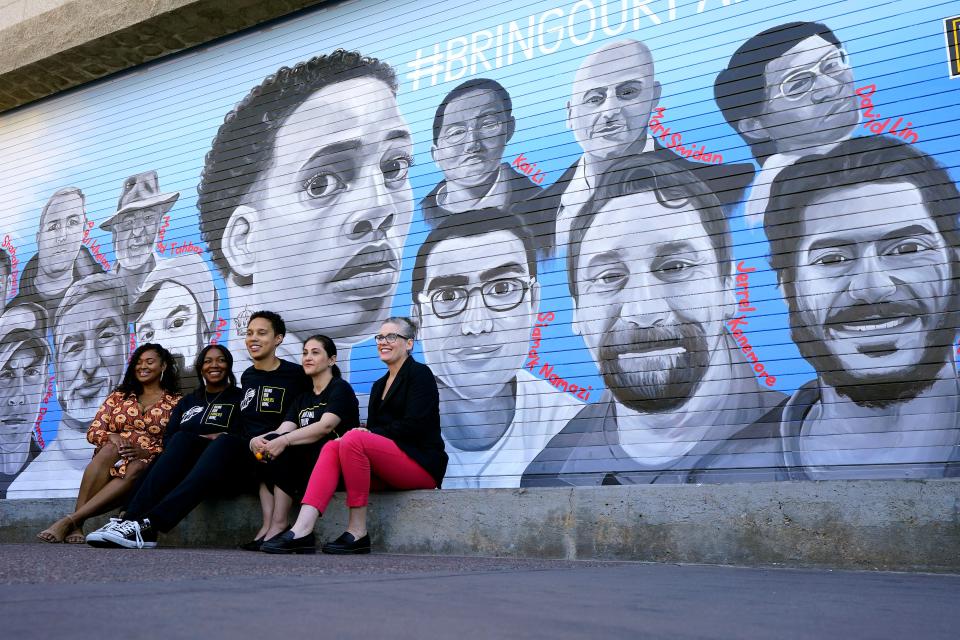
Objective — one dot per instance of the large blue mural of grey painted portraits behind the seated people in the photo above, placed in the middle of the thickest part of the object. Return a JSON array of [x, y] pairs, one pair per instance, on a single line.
[[622, 272]]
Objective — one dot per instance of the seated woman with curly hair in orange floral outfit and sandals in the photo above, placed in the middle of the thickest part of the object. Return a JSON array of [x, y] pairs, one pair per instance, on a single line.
[[128, 433]]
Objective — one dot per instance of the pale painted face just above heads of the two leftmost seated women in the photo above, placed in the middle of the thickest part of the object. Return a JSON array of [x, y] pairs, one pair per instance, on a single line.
[[173, 319]]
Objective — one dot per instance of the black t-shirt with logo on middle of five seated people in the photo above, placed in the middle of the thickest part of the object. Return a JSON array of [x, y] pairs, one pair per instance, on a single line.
[[267, 396]]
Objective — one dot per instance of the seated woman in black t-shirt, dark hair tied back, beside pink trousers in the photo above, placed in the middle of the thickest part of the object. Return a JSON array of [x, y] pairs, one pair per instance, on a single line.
[[323, 413]]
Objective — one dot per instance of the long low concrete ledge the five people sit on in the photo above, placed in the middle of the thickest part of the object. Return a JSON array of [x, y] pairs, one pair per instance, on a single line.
[[891, 525]]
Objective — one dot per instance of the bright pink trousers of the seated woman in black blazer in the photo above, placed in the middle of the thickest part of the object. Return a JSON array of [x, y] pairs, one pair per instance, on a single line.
[[366, 461]]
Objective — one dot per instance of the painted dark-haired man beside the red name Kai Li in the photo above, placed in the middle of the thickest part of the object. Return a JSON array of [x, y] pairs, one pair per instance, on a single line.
[[471, 129]]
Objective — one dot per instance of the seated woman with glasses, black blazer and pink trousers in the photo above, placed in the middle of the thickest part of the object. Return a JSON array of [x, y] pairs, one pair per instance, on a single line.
[[400, 448]]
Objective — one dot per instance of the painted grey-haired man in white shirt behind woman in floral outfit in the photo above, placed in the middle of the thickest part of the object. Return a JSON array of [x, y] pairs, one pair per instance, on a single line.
[[90, 351]]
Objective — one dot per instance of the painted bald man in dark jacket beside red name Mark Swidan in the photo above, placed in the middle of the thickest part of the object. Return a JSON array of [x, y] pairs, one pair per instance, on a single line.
[[613, 96]]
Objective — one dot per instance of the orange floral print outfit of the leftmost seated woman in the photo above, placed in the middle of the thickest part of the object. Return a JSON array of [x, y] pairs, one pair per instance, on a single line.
[[121, 415]]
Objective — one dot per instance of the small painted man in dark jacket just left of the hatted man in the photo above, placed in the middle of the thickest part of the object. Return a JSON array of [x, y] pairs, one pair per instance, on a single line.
[[61, 258]]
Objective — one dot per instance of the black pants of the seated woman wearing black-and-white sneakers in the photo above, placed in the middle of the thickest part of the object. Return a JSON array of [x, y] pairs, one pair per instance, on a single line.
[[190, 470]]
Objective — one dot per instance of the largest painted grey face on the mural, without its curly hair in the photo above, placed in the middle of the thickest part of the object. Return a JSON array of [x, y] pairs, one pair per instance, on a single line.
[[333, 212]]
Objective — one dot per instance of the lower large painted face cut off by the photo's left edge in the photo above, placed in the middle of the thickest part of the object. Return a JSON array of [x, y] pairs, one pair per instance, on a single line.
[[22, 381]]
